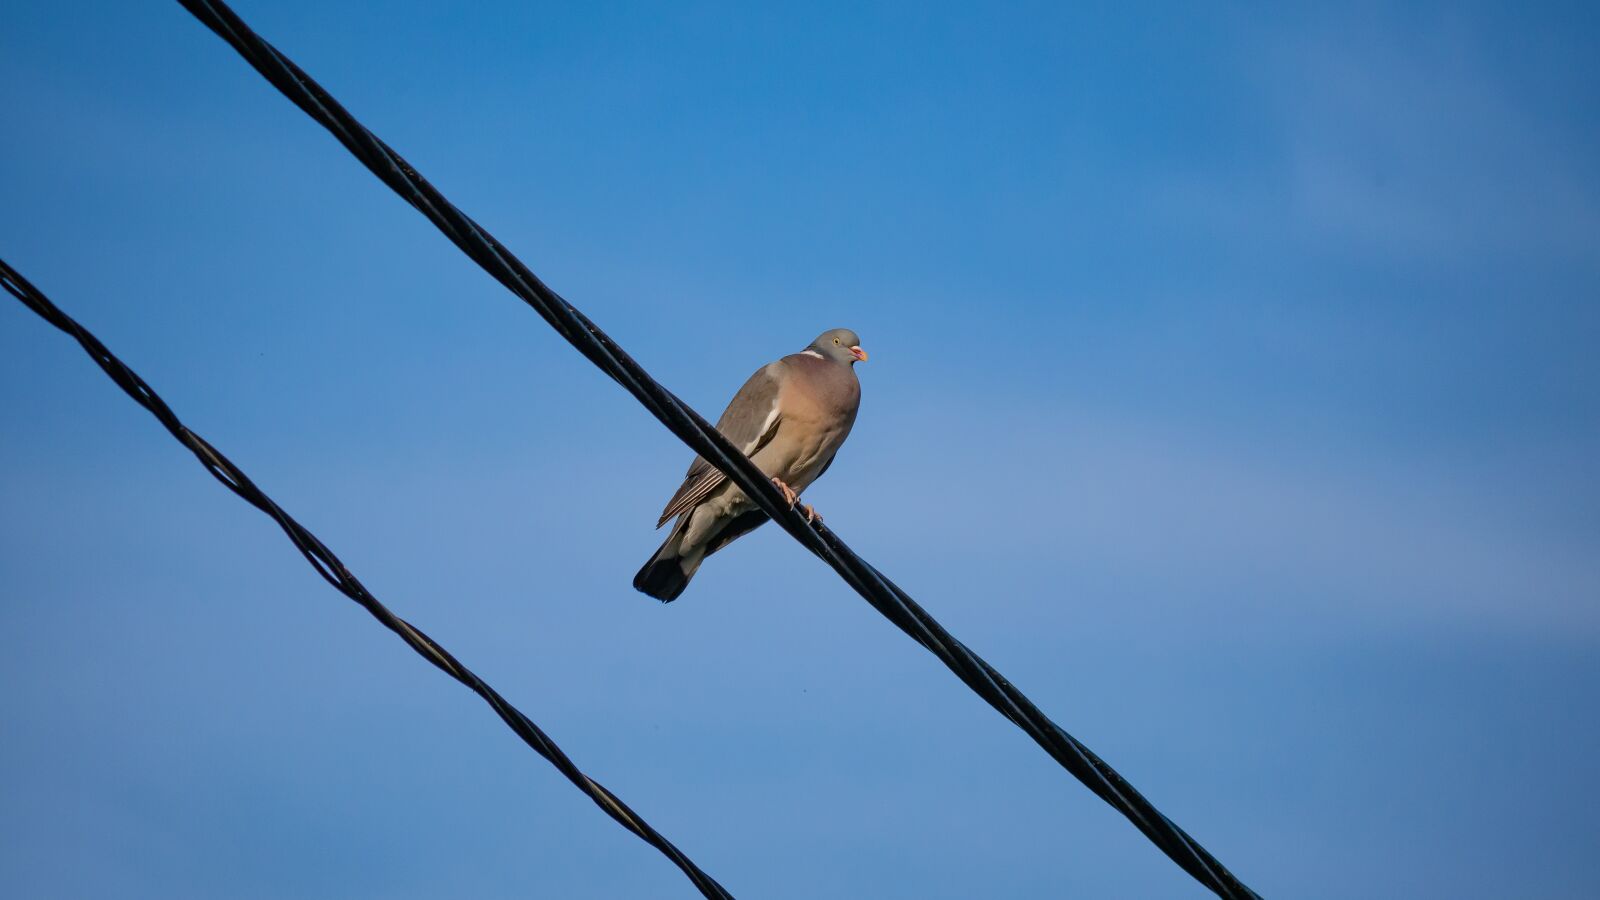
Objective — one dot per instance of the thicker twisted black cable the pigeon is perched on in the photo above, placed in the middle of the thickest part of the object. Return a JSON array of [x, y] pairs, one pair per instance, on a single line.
[[702, 438]]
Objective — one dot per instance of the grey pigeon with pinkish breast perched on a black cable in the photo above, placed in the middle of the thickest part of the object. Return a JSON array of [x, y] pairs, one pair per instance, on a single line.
[[790, 419]]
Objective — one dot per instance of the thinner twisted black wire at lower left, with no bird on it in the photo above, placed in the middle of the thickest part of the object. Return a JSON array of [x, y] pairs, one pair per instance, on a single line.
[[329, 566]]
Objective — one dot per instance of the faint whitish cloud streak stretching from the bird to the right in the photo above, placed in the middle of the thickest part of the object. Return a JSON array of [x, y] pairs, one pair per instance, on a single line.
[[1258, 528]]
